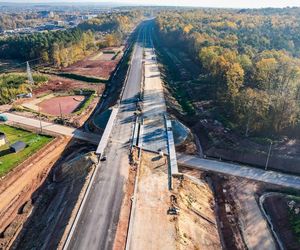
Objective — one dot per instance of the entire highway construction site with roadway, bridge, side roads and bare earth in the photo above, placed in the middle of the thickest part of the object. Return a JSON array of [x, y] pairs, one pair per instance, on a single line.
[[113, 166]]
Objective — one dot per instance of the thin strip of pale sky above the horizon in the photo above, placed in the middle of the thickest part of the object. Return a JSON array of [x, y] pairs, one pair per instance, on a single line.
[[203, 3]]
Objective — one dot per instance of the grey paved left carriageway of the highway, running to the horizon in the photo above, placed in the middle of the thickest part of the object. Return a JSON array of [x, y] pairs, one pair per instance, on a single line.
[[98, 221]]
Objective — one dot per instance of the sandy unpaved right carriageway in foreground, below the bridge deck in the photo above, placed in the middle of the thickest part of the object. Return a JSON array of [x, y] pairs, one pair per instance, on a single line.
[[152, 227]]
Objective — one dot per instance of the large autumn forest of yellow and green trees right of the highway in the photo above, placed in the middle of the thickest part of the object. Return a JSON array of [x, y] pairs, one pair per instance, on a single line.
[[251, 59]]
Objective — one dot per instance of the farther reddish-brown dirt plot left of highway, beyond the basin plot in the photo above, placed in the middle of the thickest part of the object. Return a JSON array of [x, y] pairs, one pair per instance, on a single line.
[[99, 65]]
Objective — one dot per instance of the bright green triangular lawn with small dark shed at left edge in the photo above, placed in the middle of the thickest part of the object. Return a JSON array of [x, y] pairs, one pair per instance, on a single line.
[[10, 160]]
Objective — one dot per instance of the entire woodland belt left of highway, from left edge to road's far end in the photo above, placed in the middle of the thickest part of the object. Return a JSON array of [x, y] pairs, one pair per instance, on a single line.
[[62, 48]]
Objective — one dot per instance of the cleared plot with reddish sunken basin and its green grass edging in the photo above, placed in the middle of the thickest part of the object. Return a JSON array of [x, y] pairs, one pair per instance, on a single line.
[[76, 101]]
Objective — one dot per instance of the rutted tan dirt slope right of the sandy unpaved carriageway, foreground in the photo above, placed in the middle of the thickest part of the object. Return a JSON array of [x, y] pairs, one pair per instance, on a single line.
[[196, 223]]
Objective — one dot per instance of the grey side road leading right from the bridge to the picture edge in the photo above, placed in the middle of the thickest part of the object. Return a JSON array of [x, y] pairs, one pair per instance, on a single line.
[[257, 174]]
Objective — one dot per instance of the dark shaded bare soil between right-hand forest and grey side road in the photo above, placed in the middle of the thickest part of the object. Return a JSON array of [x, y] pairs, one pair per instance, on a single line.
[[217, 142]]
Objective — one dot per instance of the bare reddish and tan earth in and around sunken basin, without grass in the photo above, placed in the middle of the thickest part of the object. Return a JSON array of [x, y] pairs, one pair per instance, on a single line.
[[45, 95]]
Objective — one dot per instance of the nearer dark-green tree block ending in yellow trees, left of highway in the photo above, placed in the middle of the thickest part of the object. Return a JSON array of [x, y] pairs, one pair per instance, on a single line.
[[61, 48]]
